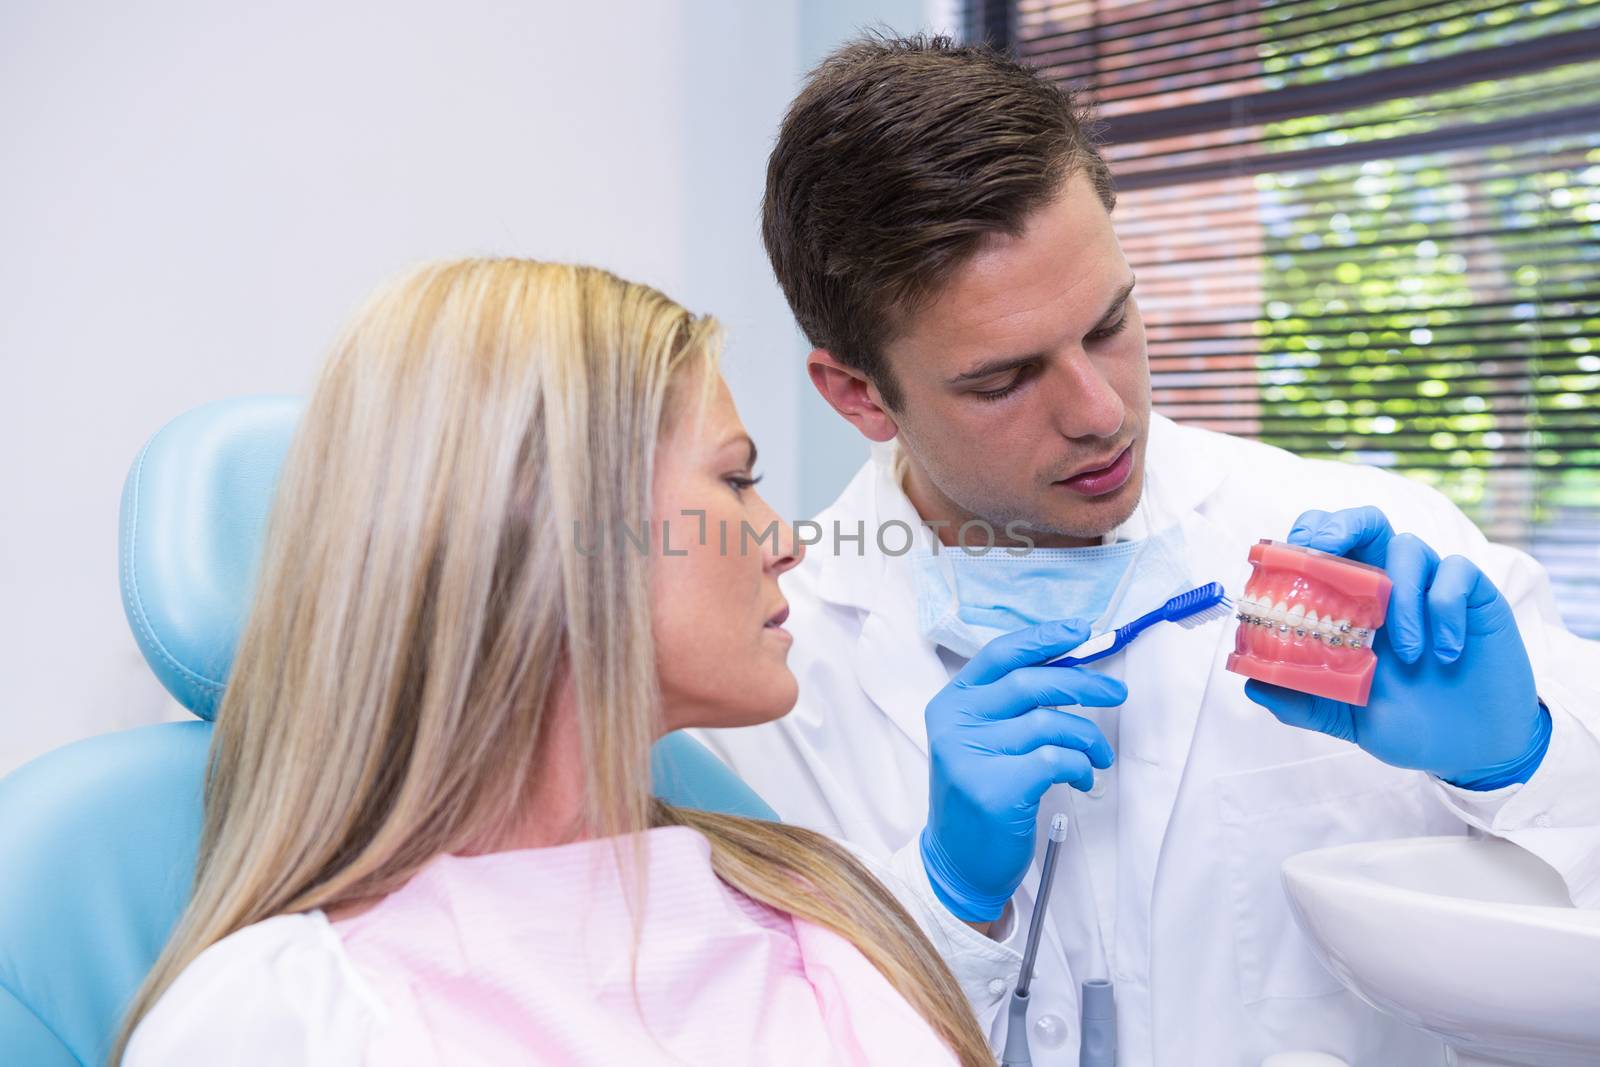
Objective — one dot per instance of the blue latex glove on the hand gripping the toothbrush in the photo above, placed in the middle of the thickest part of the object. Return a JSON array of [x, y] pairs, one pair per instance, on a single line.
[[996, 745]]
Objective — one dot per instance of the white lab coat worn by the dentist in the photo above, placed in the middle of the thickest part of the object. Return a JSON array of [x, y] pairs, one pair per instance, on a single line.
[[1210, 793]]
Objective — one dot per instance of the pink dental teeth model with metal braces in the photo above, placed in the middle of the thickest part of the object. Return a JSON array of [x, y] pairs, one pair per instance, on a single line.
[[1308, 621]]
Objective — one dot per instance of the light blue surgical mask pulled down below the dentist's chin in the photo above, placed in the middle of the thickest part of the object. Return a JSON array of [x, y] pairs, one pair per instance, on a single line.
[[964, 601]]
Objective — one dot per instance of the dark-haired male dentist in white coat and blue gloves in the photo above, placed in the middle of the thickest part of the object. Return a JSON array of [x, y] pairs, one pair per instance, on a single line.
[[942, 228]]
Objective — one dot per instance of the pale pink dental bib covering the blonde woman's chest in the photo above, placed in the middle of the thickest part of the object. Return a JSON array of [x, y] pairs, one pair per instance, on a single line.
[[524, 957]]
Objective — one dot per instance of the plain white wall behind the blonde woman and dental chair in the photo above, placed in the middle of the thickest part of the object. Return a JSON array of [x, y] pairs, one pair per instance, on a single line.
[[194, 196]]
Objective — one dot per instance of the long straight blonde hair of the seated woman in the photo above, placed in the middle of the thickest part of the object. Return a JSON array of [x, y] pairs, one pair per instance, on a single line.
[[422, 589]]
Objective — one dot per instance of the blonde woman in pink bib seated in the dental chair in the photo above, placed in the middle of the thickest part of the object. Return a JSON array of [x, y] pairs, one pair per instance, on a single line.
[[430, 836]]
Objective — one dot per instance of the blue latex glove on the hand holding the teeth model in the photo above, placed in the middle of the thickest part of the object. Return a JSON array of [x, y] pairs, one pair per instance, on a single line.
[[1454, 692]]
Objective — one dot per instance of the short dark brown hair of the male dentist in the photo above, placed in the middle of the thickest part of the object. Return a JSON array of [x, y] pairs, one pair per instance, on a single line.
[[898, 158]]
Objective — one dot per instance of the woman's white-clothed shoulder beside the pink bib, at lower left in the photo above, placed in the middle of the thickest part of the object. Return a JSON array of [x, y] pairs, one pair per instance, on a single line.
[[281, 991]]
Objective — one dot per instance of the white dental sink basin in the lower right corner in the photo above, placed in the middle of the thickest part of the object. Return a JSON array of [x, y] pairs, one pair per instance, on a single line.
[[1473, 940]]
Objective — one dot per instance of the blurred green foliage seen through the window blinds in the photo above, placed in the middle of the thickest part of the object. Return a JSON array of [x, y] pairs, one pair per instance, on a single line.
[[1439, 313]]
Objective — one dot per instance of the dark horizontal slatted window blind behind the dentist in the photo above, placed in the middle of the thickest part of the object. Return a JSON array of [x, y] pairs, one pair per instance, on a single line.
[[1366, 234]]
